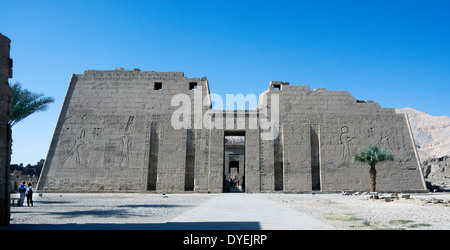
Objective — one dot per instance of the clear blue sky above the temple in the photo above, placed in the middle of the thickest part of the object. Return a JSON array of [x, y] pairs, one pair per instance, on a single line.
[[394, 52]]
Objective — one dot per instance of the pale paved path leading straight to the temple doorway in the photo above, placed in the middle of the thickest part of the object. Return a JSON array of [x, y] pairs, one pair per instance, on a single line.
[[250, 211]]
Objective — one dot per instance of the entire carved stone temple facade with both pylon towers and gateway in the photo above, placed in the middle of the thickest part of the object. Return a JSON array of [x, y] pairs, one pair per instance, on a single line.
[[136, 131]]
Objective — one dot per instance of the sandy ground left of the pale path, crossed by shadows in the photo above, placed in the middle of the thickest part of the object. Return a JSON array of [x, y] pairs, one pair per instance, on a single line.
[[56, 208]]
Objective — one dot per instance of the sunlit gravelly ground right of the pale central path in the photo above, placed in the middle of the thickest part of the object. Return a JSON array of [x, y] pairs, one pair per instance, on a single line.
[[359, 212]]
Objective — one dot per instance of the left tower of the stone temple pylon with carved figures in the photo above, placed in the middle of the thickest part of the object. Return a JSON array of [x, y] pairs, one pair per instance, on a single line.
[[114, 133]]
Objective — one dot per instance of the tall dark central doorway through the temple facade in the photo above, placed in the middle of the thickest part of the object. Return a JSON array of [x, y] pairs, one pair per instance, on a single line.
[[234, 162]]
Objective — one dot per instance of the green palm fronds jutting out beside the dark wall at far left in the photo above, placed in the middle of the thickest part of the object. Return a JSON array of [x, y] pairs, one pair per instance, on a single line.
[[26, 103]]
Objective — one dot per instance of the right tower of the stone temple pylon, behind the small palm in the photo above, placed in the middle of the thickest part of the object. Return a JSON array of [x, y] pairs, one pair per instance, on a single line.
[[342, 127]]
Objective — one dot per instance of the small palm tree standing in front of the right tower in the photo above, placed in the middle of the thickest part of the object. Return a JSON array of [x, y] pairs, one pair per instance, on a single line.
[[373, 155]]
